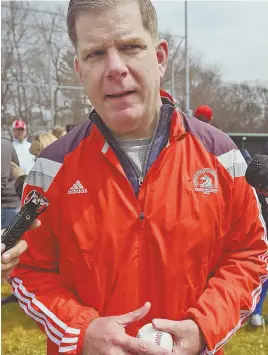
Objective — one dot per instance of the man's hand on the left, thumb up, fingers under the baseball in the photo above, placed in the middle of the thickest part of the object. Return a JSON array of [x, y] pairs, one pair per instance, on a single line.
[[107, 336]]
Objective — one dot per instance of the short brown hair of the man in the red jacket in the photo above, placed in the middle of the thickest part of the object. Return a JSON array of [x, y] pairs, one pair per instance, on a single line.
[[76, 7]]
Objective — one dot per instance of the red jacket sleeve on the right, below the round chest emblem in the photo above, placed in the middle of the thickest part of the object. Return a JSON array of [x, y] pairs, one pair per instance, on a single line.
[[234, 288]]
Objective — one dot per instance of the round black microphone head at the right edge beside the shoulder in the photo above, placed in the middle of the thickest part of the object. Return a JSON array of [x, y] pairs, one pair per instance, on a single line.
[[257, 173]]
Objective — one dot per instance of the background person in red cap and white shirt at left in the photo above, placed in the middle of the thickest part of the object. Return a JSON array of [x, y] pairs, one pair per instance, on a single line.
[[22, 146]]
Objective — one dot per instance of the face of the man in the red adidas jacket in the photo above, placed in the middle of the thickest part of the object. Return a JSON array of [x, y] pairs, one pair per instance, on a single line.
[[120, 66]]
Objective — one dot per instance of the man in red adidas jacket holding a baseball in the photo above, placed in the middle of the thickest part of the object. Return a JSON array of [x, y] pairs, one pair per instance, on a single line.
[[148, 206]]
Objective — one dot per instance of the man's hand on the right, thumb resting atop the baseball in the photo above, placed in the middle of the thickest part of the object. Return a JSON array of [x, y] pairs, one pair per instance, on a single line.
[[187, 337]]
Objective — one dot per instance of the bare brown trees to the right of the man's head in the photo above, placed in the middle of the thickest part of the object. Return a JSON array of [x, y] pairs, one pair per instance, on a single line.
[[236, 107]]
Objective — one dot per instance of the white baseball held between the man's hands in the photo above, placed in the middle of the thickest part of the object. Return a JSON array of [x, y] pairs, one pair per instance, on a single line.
[[149, 333]]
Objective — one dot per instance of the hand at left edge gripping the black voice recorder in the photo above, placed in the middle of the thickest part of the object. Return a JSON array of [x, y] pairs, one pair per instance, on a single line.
[[10, 258]]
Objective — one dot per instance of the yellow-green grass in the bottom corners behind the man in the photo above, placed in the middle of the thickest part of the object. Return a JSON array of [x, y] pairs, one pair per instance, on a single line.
[[21, 336]]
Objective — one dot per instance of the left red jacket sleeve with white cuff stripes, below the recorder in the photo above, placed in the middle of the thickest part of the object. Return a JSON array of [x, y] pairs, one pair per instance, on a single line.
[[40, 290]]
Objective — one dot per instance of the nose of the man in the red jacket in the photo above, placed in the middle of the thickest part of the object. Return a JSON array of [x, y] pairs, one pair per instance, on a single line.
[[115, 68]]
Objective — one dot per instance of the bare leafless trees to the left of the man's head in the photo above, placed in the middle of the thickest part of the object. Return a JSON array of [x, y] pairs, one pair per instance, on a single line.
[[36, 44]]
